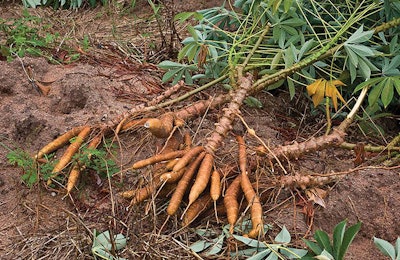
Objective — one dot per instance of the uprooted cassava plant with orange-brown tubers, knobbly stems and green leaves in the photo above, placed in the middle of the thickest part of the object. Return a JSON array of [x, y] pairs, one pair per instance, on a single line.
[[261, 46]]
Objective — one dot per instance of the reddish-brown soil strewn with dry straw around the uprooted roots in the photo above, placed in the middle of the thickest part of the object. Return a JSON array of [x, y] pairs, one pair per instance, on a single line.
[[40, 223]]
